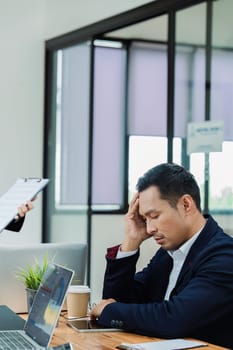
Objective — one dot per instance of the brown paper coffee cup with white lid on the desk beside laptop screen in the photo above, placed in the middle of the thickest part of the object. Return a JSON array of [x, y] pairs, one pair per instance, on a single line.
[[77, 301]]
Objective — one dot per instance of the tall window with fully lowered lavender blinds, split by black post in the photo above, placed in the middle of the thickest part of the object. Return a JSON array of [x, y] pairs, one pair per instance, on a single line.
[[73, 127]]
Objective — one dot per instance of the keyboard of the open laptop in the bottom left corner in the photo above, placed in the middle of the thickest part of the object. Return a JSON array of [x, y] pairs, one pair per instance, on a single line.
[[14, 340]]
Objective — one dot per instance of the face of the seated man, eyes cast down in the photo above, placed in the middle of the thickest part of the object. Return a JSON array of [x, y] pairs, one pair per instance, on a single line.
[[168, 225]]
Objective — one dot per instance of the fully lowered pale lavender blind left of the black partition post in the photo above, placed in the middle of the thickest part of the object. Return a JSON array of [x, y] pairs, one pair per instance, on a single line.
[[73, 124]]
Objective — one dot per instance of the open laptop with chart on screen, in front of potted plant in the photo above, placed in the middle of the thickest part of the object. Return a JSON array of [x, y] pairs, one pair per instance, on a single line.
[[44, 313]]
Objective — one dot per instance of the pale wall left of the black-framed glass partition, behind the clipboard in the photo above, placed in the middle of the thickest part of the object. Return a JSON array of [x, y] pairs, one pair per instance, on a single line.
[[21, 107]]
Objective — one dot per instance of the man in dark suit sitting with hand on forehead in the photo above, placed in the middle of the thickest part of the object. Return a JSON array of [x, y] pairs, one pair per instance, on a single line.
[[187, 288]]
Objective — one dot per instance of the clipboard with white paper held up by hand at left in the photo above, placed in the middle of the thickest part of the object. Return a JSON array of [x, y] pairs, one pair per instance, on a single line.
[[24, 189]]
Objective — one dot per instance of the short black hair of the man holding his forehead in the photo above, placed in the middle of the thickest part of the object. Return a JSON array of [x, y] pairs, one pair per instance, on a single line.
[[172, 181]]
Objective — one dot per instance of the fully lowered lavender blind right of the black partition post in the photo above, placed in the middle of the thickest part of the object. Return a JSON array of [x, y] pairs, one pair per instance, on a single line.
[[109, 126]]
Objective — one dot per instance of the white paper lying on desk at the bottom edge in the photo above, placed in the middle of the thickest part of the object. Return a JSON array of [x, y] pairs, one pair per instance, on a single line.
[[171, 344]]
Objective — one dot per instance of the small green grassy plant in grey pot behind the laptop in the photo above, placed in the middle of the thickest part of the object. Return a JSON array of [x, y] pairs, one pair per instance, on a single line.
[[31, 277]]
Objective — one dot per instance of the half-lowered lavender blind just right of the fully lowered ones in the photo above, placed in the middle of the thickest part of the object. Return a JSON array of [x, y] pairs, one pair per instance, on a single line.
[[147, 104]]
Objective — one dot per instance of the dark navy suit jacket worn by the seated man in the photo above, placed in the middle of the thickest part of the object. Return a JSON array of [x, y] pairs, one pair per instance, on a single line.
[[200, 305]]
